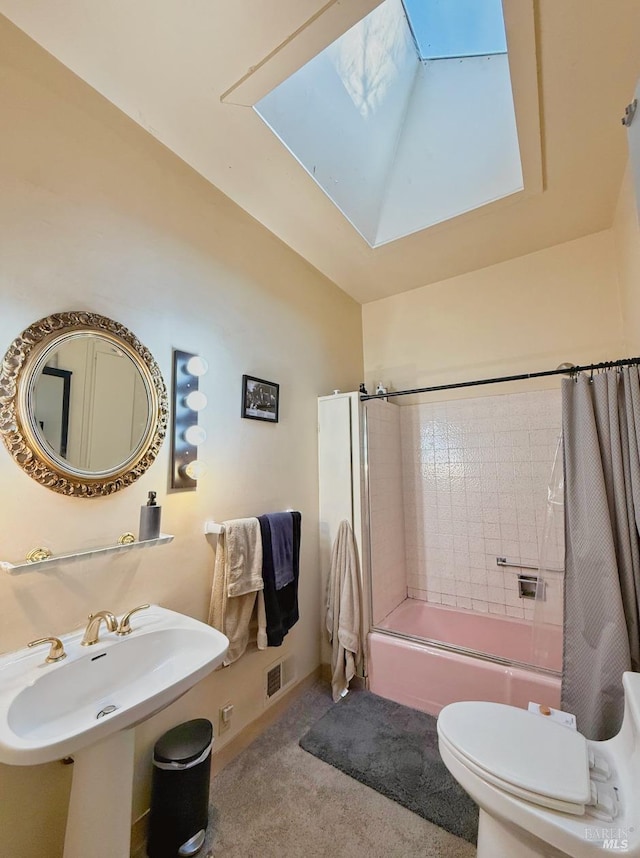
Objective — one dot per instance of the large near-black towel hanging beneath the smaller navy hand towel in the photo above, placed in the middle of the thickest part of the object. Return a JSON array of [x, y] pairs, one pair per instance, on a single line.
[[281, 606]]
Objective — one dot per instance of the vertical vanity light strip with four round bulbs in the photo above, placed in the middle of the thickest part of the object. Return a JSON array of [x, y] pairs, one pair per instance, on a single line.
[[186, 434]]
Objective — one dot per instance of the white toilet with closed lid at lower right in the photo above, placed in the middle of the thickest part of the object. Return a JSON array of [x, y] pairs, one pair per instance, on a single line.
[[543, 789]]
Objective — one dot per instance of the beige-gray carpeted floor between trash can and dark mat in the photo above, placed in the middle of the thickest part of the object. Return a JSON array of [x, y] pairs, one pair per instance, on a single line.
[[277, 801]]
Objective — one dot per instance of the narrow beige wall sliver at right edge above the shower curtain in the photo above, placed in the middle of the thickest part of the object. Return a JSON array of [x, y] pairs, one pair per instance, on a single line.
[[626, 236]]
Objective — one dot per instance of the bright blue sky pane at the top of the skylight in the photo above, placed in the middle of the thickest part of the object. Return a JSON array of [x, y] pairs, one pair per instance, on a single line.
[[444, 29]]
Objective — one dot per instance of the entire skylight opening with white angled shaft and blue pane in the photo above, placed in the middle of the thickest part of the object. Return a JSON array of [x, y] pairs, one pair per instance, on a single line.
[[401, 138]]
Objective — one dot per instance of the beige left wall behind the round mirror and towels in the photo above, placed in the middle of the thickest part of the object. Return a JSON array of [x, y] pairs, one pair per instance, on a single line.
[[95, 214]]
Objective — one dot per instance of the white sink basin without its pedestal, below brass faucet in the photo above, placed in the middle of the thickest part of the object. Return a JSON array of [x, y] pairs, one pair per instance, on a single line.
[[49, 711]]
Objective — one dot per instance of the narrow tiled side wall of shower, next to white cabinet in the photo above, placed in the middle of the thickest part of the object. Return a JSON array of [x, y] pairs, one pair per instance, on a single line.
[[387, 549]]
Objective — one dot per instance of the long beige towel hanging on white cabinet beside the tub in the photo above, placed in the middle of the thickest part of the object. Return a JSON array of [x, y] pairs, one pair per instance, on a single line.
[[343, 612]]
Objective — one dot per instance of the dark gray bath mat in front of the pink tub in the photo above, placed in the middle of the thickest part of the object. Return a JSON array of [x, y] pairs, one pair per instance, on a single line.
[[394, 750]]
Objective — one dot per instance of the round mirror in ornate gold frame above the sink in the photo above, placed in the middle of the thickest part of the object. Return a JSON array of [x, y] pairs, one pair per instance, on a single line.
[[83, 406]]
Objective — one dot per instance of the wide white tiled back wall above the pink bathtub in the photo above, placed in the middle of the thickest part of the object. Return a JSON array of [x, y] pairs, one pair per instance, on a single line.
[[475, 476]]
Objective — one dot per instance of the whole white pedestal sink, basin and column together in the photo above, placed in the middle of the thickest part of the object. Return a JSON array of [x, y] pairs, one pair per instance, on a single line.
[[87, 706]]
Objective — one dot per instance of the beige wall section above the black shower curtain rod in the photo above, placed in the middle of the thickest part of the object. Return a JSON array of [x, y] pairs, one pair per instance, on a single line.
[[525, 315]]
